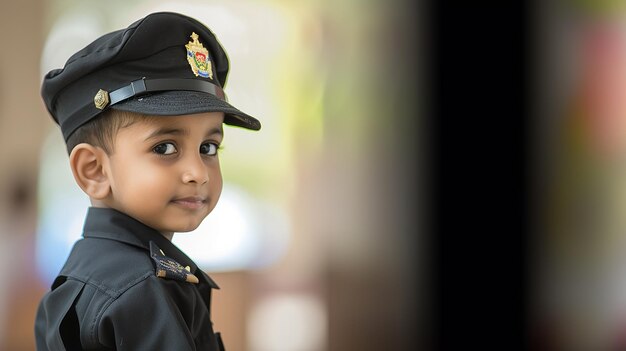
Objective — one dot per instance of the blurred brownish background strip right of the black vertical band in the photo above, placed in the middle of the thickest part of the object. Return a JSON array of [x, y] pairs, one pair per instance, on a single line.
[[578, 265]]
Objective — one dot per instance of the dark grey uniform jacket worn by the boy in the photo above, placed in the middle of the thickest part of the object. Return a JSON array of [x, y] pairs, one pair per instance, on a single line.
[[108, 297]]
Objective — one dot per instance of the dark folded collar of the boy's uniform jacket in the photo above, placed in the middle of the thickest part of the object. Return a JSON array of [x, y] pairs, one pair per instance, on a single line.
[[108, 223]]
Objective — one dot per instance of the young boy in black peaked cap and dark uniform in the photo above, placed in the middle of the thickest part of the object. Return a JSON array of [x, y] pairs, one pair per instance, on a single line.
[[141, 110]]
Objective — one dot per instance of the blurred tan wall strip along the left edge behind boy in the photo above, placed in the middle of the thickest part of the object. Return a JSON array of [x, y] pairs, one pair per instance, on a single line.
[[21, 132]]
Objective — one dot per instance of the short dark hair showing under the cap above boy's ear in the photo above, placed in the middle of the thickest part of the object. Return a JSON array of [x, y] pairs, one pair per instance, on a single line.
[[101, 131]]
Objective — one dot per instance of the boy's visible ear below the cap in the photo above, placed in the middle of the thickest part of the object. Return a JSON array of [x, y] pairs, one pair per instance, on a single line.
[[89, 166]]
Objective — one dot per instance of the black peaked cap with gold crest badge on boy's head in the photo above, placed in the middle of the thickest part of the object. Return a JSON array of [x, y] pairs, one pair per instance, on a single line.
[[163, 64]]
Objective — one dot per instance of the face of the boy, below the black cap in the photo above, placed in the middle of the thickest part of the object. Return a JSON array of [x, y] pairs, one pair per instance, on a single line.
[[165, 171]]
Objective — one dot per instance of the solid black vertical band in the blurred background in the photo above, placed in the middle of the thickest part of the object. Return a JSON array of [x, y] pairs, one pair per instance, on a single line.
[[479, 122]]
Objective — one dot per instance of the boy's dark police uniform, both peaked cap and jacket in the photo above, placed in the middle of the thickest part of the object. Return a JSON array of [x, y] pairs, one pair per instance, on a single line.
[[124, 285]]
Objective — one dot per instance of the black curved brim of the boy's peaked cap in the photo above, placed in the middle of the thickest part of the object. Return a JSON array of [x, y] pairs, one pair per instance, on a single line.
[[179, 102]]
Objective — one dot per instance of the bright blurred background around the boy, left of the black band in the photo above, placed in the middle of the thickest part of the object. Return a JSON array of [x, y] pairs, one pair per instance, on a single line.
[[317, 242]]
